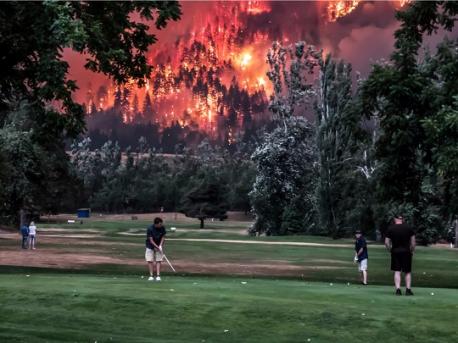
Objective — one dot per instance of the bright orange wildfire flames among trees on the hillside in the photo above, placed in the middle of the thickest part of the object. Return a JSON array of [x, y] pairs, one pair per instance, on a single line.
[[212, 78]]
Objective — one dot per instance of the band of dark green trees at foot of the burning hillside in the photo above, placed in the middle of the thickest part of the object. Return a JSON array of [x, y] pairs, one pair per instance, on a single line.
[[143, 181]]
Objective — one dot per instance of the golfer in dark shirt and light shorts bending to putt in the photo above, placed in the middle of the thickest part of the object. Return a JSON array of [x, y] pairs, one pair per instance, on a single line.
[[155, 236]]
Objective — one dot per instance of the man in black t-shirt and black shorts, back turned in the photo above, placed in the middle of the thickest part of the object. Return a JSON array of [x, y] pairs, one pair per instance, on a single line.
[[400, 241]]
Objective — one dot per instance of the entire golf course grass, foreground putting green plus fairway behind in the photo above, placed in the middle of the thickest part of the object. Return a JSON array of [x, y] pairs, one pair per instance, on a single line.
[[111, 303]]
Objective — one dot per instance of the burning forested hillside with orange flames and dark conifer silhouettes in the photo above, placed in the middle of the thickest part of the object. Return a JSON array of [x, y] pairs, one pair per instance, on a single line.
[[210, 79]]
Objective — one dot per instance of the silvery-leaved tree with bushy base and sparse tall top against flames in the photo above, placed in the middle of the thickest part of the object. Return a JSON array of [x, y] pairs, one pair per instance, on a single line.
[[282, 197]]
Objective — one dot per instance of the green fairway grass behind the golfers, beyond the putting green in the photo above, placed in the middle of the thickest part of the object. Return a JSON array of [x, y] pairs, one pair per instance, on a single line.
[[432, 267]]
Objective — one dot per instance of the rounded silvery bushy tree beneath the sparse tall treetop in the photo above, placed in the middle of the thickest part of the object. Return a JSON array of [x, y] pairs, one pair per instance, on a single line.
[[283, 195]]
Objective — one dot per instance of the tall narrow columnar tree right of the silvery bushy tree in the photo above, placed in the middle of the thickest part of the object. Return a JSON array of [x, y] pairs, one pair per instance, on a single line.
[[338, 131]]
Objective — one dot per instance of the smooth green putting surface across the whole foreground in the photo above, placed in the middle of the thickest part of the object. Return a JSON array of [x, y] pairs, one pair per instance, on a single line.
[[66, 307]]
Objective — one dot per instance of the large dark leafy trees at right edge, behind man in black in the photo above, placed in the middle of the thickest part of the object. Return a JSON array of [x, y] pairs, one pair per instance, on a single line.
[[411, 95]]
